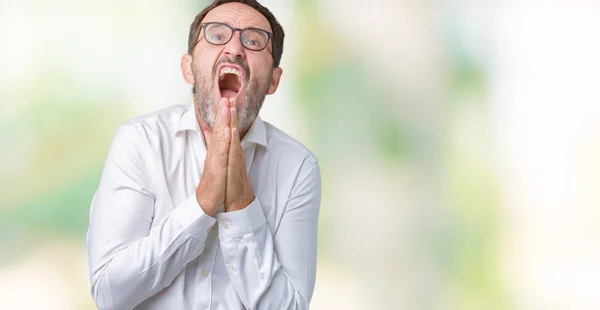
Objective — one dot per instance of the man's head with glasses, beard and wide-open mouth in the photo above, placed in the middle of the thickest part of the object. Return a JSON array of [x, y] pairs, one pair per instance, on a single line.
[[234, 50]]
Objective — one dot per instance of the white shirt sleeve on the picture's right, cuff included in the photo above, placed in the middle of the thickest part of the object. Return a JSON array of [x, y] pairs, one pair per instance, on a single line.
[[275, 270]]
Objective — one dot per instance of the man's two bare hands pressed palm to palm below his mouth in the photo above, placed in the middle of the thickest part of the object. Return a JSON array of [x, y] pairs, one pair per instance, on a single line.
[[224, 179]]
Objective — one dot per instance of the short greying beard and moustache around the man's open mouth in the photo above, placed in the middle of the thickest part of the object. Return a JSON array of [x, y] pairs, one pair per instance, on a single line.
[[248, 105]]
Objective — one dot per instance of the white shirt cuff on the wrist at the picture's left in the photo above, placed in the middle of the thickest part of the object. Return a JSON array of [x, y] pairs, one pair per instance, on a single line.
[[190, 216]]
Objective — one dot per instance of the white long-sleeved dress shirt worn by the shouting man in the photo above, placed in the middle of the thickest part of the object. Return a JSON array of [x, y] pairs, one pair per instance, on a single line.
[[152, 247]]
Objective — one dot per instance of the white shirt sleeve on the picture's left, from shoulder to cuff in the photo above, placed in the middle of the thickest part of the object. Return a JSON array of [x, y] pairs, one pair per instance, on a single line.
[[131, 259]]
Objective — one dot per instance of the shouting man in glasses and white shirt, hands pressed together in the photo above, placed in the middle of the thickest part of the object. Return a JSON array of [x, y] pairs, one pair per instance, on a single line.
[[207, 206]]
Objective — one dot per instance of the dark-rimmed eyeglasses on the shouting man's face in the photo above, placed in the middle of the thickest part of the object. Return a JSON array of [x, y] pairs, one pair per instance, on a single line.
[[251, 38]]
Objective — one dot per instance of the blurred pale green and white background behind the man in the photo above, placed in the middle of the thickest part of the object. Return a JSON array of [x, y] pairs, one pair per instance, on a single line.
[[459, 143]]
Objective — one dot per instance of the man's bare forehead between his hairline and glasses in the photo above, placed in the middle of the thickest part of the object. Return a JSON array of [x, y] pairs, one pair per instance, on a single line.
[[238, 15]]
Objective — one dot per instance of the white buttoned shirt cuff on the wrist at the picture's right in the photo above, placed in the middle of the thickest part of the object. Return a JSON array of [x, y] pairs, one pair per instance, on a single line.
[[242, 222]]
